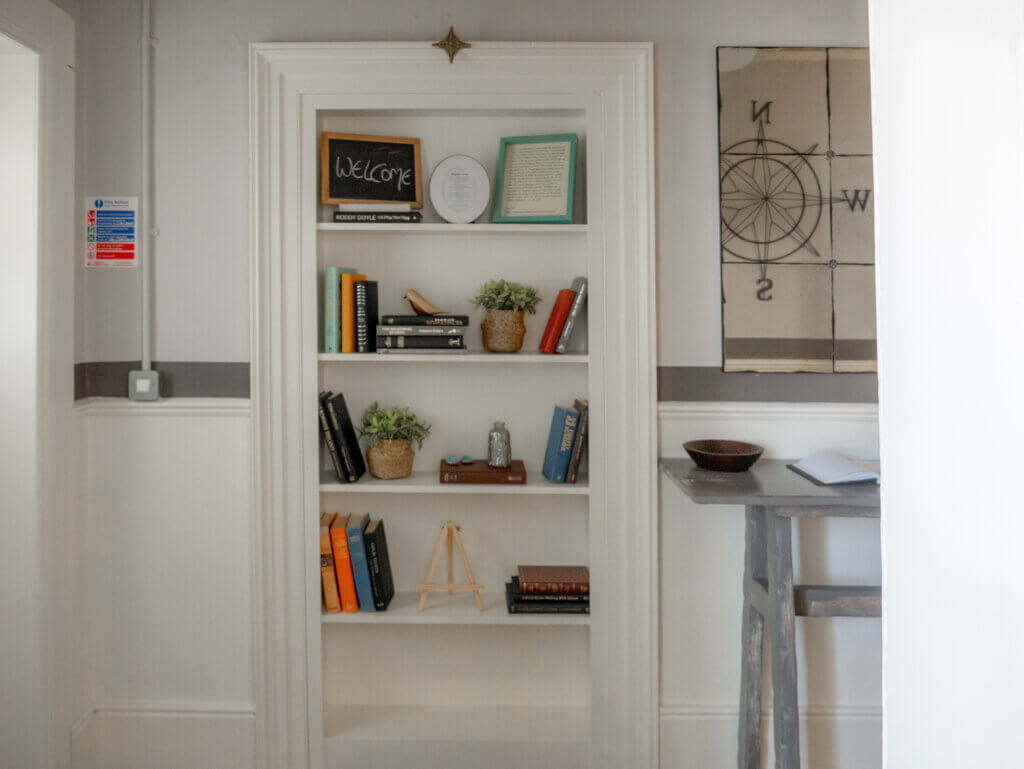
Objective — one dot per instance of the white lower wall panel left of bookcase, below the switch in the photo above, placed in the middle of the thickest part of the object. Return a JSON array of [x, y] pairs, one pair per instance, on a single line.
[[167, 490]]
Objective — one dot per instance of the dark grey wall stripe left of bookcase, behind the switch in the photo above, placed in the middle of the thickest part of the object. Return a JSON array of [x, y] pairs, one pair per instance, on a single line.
[[186, 379]]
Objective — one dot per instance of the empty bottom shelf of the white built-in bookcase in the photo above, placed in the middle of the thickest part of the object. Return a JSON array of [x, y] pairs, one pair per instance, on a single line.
[[382, 723]]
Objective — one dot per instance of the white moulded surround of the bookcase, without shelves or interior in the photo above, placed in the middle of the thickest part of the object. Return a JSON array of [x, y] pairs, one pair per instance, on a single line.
[[287, 79]]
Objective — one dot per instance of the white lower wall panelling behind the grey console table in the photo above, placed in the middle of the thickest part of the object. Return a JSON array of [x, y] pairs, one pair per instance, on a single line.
[[702, 546]]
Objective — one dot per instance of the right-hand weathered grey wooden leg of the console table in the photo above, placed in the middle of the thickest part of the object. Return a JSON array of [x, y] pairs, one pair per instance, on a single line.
[[783, 632]]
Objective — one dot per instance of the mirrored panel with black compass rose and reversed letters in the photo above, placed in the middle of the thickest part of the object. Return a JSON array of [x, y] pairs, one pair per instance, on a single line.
[[797, 210]]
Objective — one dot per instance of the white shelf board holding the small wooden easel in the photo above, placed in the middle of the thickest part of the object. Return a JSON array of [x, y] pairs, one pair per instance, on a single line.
[[445, 610]]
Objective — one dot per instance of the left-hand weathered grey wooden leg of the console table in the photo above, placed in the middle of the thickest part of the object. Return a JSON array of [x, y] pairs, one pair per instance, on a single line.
[[753, 646]]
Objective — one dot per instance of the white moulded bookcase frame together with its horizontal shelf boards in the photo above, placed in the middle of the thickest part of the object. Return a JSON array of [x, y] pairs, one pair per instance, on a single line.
[[612, 86]]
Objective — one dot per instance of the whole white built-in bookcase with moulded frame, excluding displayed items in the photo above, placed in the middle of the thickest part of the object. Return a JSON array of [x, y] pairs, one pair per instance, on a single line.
[[453, 688]]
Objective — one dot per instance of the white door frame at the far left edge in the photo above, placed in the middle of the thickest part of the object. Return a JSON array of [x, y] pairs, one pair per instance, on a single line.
[[50, 32]]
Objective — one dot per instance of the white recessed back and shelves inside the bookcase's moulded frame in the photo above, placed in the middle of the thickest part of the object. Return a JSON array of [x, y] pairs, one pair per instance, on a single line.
[[461, 396]]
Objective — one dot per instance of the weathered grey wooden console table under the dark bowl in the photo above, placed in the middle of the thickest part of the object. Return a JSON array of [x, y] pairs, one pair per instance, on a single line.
[[774, 495]]
